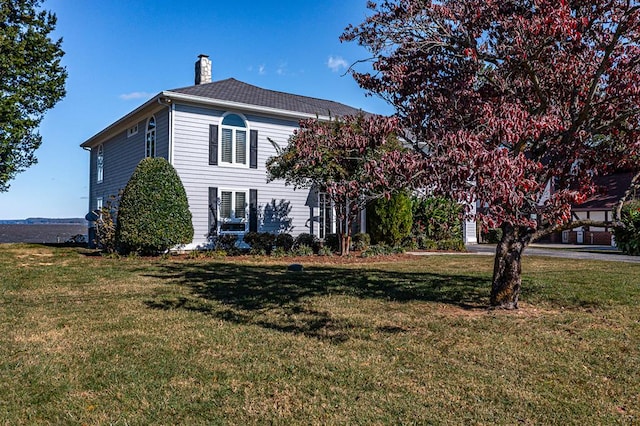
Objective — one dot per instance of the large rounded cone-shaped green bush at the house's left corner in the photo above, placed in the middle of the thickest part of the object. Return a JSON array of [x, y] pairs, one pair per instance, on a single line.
[[153, 214]]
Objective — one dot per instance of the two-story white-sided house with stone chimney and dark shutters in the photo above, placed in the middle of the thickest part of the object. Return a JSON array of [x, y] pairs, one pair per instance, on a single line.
[[217, 136]]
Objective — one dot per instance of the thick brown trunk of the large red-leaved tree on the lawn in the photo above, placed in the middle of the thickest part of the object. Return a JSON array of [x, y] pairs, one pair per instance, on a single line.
[[507, 269]]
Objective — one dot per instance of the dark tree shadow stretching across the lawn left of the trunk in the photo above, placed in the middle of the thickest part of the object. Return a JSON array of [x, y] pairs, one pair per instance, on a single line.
[[271, 297]]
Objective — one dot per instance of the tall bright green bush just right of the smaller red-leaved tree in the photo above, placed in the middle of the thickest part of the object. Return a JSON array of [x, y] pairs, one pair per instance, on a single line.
[[389, 221]]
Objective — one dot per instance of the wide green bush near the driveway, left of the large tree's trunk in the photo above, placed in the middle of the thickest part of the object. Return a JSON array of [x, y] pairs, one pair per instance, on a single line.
[[437, 218]]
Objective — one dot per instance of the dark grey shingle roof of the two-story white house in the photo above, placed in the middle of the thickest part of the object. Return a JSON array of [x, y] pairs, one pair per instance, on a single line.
[[233, 90]]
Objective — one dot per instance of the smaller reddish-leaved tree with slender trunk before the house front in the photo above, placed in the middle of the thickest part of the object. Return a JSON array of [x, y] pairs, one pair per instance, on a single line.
[[354, 159]]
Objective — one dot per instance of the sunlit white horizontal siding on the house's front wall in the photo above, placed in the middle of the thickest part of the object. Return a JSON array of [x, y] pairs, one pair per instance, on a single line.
[[191, 160]]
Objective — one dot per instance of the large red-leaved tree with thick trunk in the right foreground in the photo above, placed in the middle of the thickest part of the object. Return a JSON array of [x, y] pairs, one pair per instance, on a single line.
[[505, 98]]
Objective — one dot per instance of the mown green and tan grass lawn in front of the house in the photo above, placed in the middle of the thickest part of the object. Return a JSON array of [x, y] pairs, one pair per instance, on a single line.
[[91, 340]]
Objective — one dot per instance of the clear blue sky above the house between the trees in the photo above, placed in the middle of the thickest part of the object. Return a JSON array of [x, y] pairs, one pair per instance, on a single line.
[[120, 53]]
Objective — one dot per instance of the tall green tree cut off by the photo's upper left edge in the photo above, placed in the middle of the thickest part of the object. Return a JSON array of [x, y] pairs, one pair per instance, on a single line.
[[31, 82]]
